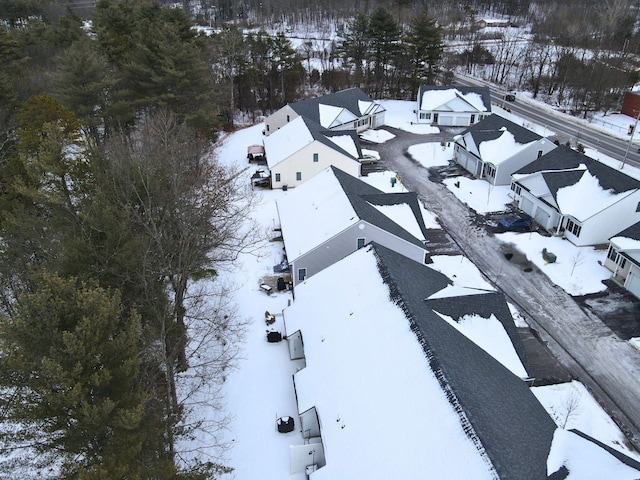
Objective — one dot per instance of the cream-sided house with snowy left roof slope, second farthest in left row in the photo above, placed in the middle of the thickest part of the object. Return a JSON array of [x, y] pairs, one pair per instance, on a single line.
[[302, 149]]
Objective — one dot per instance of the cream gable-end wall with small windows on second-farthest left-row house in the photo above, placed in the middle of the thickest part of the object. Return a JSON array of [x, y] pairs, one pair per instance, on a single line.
[[302, 161]]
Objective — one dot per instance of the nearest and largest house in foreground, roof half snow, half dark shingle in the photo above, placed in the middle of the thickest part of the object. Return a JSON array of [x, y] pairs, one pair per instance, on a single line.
[[391, 384]]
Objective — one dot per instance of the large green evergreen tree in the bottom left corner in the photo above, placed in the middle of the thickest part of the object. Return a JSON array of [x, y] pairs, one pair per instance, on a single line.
[[71, 357]]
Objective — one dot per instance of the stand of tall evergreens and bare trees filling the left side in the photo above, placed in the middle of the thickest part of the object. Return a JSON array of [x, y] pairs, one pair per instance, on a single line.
[[113, 209]]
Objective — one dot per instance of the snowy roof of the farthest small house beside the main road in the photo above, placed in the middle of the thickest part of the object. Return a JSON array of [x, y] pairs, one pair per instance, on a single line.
[[436, 98]]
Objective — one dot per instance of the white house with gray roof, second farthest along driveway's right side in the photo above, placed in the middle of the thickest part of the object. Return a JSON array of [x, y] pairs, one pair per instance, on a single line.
[[495, 148]]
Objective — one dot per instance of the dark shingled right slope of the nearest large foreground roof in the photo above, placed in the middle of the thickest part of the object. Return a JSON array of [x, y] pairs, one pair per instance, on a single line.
[[496, 408]]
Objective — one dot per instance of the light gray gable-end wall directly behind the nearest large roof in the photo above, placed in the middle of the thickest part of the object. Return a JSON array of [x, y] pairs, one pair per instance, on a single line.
[[345, 243]]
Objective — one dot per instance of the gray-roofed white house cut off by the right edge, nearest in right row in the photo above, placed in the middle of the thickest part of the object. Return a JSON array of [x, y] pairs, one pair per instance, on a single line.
[[623, 258]]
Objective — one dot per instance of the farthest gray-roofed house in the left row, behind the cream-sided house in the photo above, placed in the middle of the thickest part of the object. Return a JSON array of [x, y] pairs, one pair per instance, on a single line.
[[350, 109]]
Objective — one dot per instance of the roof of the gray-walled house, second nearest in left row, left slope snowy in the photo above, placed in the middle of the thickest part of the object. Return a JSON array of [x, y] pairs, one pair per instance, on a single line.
[[333, 200]]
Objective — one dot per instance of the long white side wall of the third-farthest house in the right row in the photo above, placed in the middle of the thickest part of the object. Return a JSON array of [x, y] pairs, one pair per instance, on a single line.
[[600, 227]]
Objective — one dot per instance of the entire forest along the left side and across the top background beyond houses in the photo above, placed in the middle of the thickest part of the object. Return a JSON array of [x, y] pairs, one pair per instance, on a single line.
[[115, 215]]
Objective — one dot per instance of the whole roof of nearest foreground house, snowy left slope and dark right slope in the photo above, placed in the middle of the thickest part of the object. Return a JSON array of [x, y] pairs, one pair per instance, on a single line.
[[489, 399]]
